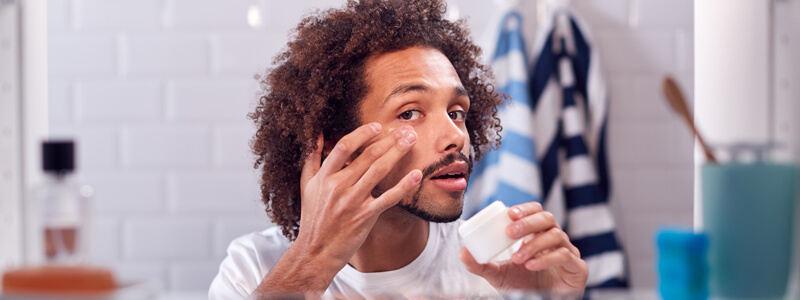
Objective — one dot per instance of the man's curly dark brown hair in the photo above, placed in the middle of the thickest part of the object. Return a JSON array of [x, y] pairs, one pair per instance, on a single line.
[[318, 81]]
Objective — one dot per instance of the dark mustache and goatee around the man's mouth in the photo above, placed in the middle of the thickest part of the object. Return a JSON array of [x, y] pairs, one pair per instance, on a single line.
[[426, 214]]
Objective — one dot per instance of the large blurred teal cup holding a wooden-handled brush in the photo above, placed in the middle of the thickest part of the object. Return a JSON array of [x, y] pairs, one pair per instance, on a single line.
[[747, 214]]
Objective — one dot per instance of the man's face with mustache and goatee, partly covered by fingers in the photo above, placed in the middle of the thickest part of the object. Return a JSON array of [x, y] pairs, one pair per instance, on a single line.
[[419, 87]]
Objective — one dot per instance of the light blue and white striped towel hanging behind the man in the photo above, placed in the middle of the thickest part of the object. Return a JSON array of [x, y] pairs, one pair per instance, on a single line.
[[509, 174]]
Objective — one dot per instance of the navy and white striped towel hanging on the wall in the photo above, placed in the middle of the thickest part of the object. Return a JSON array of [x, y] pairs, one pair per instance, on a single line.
[[571, 106]]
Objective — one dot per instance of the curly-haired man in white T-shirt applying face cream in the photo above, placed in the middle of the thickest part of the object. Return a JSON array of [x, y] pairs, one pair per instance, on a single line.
[[366, 134]]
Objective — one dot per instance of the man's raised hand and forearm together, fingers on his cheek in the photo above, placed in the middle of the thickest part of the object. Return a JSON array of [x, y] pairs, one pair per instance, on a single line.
[[338, 209]]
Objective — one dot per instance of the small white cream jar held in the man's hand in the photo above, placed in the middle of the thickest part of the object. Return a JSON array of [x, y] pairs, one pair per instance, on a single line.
[[484, 234]]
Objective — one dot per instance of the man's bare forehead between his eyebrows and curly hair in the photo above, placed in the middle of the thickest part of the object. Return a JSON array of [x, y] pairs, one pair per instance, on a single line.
[[417, 65]]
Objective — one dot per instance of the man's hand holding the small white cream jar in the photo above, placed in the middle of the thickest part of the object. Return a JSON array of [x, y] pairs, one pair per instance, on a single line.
[[546, 261]]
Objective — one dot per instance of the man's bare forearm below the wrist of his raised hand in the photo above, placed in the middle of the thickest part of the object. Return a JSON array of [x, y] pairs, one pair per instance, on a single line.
[[299, 270]]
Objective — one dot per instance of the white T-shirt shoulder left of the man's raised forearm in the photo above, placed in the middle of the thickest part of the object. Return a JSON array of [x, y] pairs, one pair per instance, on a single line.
[[249, 258]]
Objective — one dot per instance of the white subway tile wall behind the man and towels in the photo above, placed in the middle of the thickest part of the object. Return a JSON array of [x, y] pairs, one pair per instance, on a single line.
[[156, 93]]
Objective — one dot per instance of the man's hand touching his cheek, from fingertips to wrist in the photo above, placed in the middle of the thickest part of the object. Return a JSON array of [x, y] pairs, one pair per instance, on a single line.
[[338, 208]]
